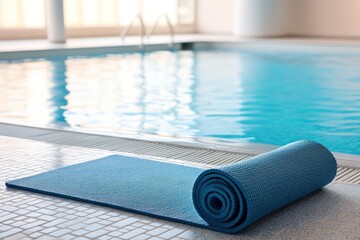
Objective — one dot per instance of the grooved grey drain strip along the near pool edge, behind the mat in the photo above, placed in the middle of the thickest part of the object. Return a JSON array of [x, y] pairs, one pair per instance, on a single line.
[[172, 152]]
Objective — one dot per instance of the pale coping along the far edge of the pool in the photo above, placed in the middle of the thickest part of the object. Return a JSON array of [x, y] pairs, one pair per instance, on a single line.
[[40, 48]]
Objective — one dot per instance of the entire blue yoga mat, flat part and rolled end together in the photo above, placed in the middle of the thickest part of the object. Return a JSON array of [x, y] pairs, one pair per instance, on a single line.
[[226, 199]]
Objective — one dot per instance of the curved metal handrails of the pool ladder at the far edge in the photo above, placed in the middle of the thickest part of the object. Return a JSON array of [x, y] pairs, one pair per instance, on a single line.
[[125, 32]]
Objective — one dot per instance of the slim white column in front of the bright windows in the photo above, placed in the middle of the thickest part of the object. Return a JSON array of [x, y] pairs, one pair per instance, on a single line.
[[54, 11]]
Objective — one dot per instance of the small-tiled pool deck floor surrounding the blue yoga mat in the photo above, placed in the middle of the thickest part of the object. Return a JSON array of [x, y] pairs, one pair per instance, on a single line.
[[332, 213]]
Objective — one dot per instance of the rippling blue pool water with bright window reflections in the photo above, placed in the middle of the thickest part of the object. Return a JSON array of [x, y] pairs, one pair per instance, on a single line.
[[246, 96]]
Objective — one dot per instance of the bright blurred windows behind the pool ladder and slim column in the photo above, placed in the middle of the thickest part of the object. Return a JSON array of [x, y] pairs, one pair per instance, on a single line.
[[26, 18]]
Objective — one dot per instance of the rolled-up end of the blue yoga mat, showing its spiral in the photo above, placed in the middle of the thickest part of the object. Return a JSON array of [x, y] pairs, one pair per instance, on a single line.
[[234, 196]]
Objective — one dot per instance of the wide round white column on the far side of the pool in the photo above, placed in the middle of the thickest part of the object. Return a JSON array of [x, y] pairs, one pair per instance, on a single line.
[[261, 18]]
